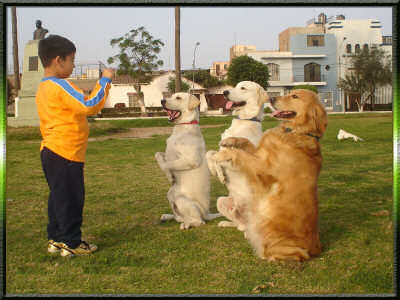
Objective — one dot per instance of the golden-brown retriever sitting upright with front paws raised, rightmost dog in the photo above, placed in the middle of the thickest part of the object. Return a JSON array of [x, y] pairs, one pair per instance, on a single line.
[[283, 172]]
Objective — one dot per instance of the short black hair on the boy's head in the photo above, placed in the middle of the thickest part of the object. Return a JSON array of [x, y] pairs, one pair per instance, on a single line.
[[53, 46]]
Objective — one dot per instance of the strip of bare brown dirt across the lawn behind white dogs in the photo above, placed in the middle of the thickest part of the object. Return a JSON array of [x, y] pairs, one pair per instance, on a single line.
[[140, 133]]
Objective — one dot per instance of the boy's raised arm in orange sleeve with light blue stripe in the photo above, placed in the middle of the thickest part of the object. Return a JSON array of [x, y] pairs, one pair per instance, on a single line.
[[74, 98]]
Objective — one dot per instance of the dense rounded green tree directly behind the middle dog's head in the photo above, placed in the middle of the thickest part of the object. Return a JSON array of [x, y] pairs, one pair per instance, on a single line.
[[245, 68]]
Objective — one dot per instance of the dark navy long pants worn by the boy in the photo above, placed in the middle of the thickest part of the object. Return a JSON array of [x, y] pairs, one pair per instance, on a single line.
[[67, 196]]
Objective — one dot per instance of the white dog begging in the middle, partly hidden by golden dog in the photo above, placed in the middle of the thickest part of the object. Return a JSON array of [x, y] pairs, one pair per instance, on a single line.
[[247, 99]]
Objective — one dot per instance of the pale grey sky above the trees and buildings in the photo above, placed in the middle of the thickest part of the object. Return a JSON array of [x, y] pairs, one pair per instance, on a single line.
[[216, 28]]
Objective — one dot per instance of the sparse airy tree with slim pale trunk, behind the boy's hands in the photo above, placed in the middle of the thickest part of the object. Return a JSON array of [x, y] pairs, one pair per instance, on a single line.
[[137, 57]]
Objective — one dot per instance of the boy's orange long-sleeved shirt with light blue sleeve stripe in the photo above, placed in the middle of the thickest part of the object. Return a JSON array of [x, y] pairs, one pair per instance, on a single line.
[[62, 109]]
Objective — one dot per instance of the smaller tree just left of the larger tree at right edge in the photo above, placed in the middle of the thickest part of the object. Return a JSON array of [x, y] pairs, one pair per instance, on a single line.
[[355, 87]]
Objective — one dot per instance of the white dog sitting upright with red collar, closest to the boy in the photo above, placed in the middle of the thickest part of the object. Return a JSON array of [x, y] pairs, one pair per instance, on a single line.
[[184, 164]]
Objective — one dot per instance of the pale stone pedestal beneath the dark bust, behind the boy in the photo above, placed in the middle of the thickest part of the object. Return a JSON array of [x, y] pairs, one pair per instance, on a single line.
[[32, 74]]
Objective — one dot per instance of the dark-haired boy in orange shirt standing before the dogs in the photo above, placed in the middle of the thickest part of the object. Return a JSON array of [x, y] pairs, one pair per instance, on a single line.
[[62, 109]]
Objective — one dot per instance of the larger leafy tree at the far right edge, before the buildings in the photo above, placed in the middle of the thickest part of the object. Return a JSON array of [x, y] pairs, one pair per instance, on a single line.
[[374, 68]]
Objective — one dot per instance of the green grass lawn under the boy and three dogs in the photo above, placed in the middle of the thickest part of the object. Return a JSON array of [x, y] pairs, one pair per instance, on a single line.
[[126, 195]]
